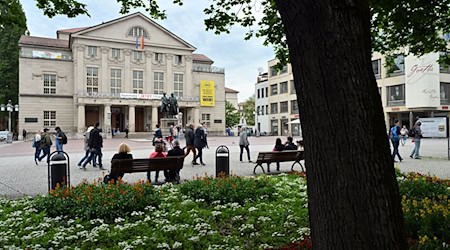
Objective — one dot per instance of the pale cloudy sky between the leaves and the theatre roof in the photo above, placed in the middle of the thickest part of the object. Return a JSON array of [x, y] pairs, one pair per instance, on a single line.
[[241, 59]]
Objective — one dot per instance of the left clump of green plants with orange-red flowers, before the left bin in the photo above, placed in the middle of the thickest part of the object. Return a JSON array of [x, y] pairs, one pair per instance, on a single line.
[[98, 200]]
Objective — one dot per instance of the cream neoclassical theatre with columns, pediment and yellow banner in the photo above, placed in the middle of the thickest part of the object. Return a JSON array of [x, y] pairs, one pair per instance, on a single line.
[[115, 73]]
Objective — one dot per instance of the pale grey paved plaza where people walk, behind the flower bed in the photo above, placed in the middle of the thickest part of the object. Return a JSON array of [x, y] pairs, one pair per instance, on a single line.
[[20, 175]]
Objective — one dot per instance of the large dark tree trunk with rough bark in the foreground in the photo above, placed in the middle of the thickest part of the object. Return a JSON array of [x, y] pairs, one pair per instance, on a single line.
[[354, 201]]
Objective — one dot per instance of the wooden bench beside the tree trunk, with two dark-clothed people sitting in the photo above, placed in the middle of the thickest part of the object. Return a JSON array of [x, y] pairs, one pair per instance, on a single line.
[[284, 156]]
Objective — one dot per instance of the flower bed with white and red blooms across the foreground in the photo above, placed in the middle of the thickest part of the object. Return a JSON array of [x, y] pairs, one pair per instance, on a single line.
[[227, 213]]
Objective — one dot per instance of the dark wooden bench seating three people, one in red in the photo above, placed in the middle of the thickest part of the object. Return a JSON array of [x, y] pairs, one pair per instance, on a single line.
[[123, 166]]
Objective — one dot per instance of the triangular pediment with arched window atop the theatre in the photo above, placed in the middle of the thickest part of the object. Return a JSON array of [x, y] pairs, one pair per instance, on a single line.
[[130, 28]]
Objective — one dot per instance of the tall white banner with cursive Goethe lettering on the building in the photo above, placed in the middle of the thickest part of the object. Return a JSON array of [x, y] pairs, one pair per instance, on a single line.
[[422, 81]]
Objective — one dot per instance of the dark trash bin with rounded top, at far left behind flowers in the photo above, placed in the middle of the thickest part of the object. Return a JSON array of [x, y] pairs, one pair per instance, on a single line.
[[58, 169]]
